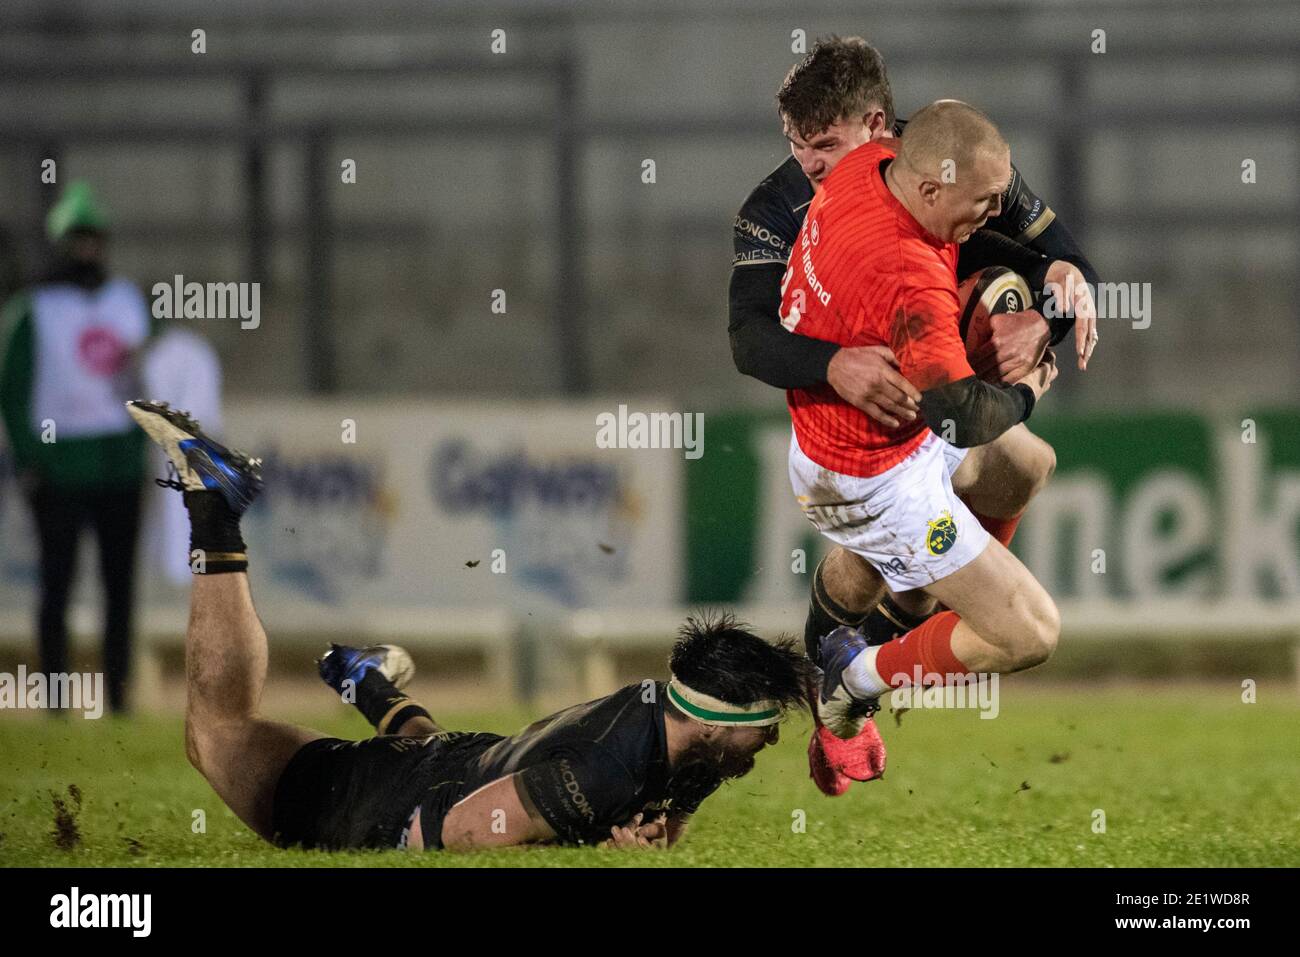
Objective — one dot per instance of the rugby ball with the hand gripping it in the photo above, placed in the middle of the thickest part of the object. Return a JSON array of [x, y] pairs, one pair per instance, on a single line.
[[1003, 350]]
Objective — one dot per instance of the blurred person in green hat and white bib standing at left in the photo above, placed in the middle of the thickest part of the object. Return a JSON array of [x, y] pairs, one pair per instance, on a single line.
[[67, 360]]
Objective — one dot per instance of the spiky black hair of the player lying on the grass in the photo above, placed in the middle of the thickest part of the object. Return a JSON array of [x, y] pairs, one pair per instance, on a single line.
[[718, 656]]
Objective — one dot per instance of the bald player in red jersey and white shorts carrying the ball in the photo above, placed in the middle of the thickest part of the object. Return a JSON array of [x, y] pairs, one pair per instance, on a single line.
[[876, 265]]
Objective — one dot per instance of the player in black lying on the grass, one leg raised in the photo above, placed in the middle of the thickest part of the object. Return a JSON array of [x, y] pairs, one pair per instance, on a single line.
[[630, 768]]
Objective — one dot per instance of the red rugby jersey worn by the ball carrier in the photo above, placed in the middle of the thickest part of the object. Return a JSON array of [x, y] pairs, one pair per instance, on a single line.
[[864, 274]]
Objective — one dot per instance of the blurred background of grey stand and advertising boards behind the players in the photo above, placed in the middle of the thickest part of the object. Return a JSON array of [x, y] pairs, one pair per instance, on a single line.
[[523, 172]]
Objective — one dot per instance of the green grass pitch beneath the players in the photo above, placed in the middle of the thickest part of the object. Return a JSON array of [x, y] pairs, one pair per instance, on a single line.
[[1184, 777]]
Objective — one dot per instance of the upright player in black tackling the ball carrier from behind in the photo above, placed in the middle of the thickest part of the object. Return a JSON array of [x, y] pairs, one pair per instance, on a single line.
[[834, 101]]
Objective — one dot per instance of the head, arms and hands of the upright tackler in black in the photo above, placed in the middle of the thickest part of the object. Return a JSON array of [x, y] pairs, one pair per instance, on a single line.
[[837, 99]]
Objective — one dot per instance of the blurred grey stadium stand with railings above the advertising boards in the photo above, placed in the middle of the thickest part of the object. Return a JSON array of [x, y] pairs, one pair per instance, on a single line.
[[522, 172]]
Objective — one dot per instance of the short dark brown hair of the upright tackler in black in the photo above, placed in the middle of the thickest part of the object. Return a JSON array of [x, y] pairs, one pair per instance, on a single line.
[[842, 77]]
